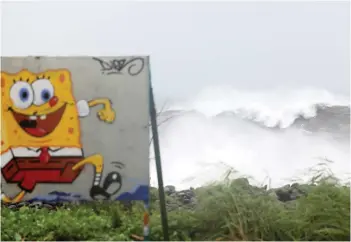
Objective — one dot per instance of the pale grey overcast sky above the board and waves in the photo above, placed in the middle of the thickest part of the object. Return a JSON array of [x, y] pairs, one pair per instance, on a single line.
[[247, 45]]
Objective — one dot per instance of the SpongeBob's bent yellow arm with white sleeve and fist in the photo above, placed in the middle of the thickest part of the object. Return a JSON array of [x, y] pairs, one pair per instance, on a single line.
[[106, 114]]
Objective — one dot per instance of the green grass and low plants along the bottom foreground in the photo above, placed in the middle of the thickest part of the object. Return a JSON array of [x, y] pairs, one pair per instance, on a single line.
[[229, 210]]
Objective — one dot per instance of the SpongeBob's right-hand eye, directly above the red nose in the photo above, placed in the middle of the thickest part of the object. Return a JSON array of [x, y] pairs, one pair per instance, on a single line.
[[43, 91]]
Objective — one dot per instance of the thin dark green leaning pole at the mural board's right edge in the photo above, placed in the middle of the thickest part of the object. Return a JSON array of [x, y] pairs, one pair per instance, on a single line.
[[154, 127]]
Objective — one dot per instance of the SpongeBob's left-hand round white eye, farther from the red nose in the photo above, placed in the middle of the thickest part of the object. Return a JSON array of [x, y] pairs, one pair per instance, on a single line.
[[21, 94]]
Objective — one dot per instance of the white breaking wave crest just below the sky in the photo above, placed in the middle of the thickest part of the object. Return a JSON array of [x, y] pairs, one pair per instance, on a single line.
[[272, 109]]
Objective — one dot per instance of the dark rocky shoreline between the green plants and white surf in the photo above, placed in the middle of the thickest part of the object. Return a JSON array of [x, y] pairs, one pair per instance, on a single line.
[[186, 198]]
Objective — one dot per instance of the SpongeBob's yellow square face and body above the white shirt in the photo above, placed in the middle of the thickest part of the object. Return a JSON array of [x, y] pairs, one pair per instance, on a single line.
[[38, 109]]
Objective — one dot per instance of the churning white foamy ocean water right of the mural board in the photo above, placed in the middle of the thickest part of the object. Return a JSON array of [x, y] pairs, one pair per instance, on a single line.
[[272, 137]]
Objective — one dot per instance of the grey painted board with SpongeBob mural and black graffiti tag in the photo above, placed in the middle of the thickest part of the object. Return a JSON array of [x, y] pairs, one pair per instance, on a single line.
[[53, 147]]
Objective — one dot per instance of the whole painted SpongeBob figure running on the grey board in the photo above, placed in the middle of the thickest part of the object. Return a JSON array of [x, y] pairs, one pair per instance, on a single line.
[[41, 131]]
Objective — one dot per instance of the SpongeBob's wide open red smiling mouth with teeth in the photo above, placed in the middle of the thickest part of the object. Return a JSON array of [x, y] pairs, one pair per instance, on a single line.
[[39, 125]]
